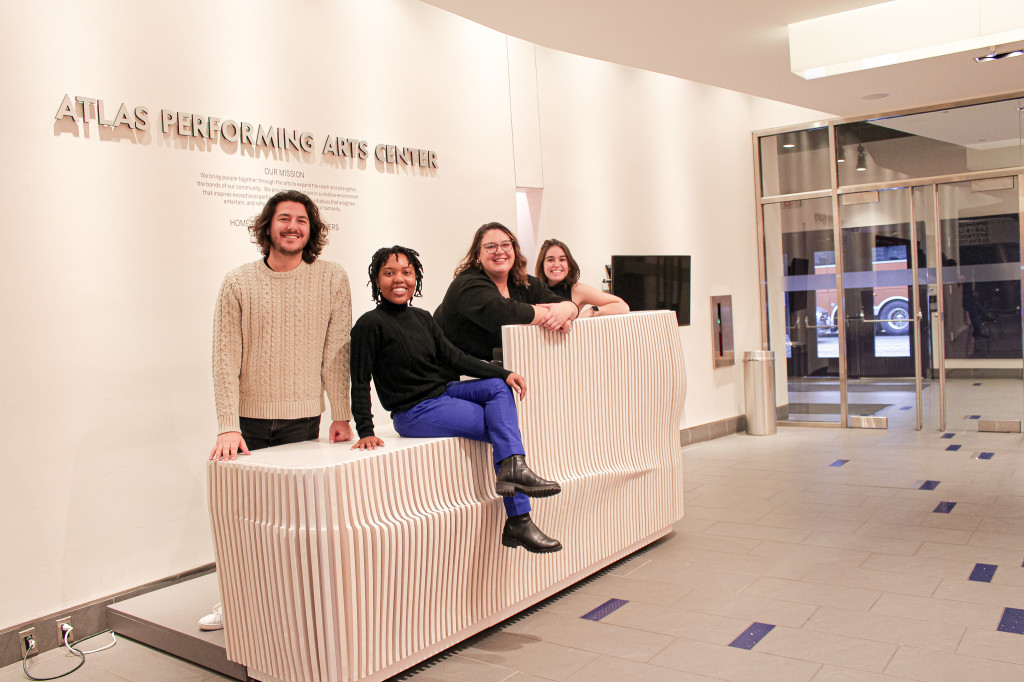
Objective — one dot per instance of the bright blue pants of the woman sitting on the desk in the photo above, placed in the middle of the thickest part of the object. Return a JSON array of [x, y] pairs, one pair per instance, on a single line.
[[482, 410]]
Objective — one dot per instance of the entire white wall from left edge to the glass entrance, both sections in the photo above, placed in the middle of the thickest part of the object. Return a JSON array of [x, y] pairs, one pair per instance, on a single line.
[[107, 409]]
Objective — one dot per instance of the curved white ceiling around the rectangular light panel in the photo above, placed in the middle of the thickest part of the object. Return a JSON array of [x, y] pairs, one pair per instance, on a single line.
[[741, 46]]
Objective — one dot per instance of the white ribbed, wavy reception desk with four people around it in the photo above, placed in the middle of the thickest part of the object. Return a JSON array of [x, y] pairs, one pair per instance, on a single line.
[[340, 566]]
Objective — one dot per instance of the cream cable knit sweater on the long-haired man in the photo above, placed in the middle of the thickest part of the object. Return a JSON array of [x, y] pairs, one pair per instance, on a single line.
[[280, 339]]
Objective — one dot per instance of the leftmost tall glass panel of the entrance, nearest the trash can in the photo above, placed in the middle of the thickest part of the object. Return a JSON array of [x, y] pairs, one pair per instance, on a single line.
[[800, 249]]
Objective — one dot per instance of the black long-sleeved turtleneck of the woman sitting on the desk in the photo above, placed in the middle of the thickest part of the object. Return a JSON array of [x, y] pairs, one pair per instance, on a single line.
[[404, 351]]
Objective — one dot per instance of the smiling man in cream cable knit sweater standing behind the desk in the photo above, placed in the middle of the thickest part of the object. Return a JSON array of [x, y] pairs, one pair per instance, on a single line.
[[281, 337]]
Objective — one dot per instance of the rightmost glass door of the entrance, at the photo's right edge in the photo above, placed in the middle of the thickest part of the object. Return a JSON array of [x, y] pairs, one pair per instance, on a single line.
[[980, 241]]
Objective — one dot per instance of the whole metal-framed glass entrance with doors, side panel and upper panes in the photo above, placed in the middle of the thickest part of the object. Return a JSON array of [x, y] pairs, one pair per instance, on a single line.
[[892, 271]]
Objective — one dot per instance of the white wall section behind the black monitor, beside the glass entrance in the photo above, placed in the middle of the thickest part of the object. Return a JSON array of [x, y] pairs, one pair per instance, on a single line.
[[642, 163]]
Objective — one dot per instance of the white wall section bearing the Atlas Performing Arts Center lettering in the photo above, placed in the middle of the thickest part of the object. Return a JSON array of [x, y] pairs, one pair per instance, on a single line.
[[107, 407]]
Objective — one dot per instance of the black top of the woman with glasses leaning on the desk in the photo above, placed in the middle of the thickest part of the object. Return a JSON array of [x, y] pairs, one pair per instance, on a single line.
[[474, 311]]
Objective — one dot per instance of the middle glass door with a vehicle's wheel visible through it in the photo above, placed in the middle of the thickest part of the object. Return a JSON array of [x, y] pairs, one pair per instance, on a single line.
[[884, 244]]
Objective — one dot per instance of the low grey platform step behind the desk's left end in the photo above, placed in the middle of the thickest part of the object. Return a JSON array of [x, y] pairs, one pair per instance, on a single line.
[[166, 620]]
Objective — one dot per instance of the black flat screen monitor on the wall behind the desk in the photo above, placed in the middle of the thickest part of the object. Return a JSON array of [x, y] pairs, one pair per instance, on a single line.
[[654, 283]]
